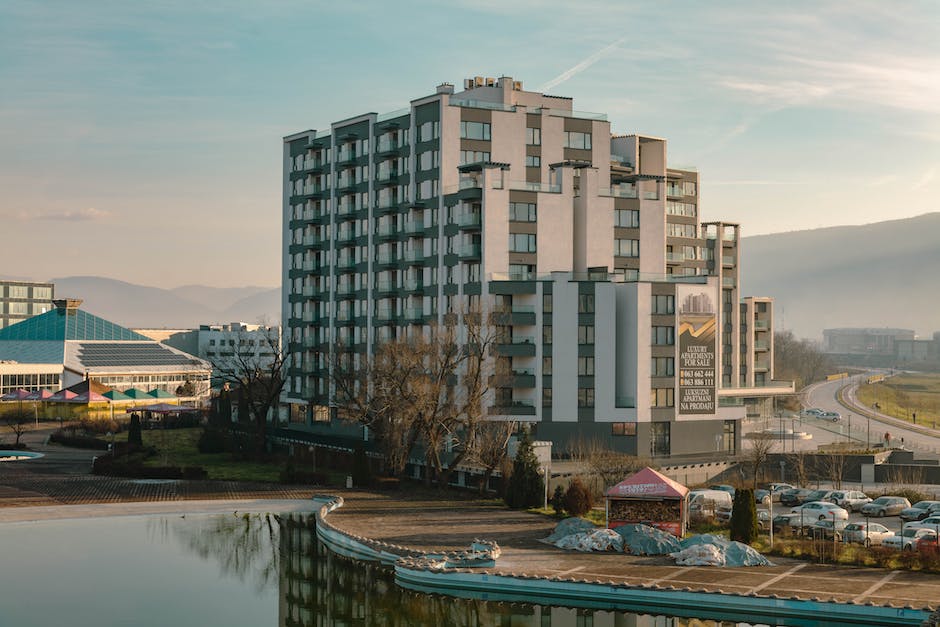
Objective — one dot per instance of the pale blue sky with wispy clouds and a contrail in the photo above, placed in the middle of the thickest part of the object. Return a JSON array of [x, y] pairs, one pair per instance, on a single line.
[[142, 141]]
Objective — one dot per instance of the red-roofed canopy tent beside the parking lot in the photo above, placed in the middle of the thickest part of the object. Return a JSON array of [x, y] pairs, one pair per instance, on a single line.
[[650, 498]]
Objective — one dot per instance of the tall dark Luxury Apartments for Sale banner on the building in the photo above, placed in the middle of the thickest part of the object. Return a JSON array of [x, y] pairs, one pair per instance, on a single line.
[[698, 362]]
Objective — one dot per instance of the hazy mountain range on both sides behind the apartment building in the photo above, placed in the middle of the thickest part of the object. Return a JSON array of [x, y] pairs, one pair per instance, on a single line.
[[885, 274]]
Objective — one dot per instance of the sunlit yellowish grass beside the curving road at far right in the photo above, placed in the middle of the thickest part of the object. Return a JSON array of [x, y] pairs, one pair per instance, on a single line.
[[905, 395]]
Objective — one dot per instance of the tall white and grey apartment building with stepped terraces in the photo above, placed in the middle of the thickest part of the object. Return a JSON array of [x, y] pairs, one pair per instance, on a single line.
[[625, 320]]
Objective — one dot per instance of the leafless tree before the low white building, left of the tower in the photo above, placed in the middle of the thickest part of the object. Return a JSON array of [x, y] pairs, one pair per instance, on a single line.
[[254, 365]]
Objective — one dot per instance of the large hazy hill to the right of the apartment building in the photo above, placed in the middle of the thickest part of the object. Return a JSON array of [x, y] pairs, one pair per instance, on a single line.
[[885, 274]]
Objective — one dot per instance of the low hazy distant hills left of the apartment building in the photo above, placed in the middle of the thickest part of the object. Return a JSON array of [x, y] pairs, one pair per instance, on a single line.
[[133, 305]]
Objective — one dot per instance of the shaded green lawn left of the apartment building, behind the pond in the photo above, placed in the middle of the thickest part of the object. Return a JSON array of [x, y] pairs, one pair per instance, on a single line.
[[177, 447]]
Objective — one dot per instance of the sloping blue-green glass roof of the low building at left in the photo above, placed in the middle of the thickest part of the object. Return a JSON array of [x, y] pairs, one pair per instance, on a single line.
[[67, 324]]
